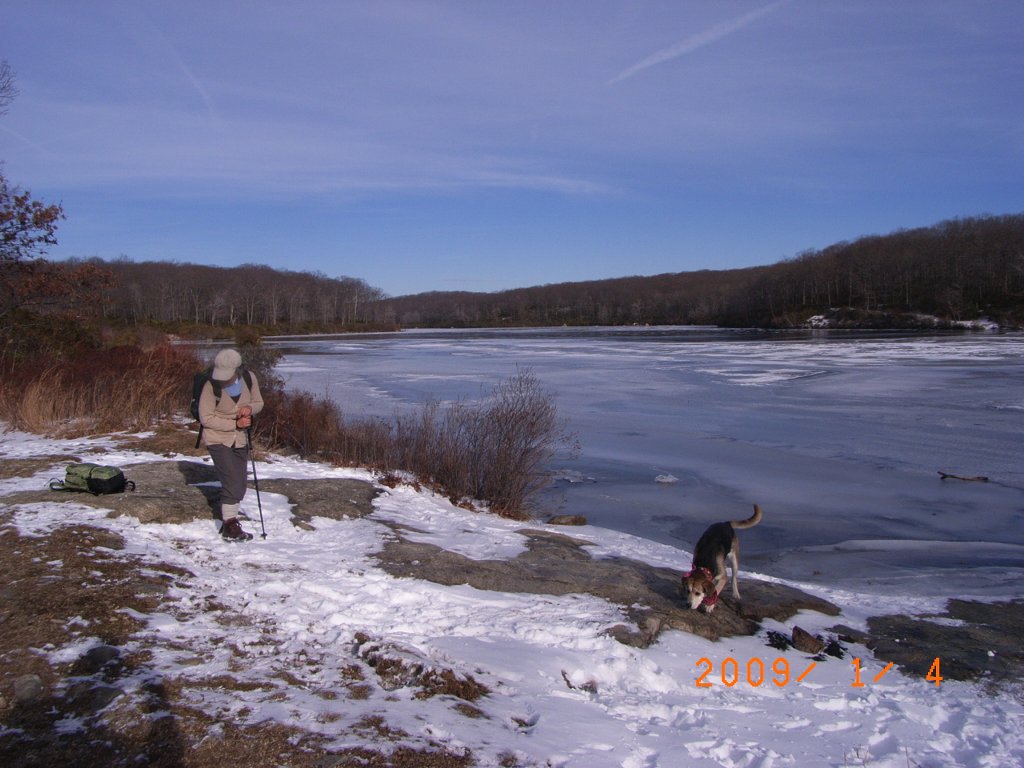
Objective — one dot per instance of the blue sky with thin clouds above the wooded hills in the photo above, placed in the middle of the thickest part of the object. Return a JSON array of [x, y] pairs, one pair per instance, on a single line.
[[485, 146]]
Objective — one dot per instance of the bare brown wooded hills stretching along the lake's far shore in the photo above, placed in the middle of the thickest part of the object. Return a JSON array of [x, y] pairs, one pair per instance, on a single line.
[[956, 272]]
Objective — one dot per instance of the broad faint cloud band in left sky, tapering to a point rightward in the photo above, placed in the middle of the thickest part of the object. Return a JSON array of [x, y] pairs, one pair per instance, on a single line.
[[147, 146]]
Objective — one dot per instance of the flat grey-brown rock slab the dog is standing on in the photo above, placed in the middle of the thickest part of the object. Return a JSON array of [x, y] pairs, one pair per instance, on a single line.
[[557, 565]]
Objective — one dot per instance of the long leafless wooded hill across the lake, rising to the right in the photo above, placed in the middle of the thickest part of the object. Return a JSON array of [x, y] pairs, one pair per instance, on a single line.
[[958, 270]]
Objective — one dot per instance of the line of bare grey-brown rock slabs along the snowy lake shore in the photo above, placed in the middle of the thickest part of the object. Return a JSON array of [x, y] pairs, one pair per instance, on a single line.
[[977, 642]]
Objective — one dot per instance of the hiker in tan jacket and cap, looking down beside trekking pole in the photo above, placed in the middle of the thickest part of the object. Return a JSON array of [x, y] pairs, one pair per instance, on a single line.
[[226, 420]]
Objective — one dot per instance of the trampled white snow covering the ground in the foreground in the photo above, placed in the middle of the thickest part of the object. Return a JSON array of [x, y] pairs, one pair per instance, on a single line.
[[564, 694]]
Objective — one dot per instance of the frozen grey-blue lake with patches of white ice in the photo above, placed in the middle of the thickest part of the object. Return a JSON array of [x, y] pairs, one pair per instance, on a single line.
[[839, 437]]
